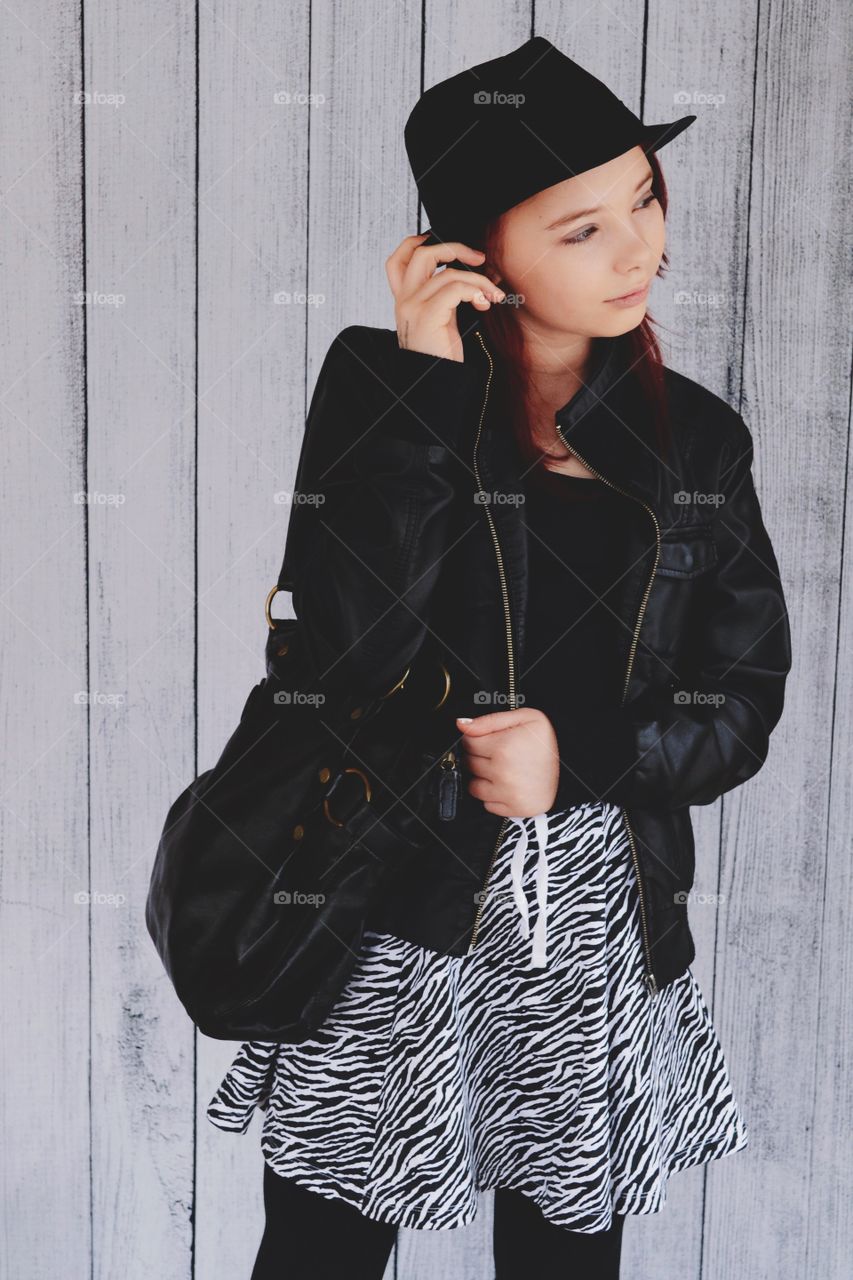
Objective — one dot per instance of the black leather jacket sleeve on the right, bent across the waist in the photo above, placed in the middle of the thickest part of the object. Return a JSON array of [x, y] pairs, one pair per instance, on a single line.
[[704, 735]]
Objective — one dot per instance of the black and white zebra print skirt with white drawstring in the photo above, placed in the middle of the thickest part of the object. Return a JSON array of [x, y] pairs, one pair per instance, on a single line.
[[551, 1071]]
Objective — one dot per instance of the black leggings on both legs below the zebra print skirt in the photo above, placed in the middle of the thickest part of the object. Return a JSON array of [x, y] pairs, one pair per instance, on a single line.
[[311, 1237]]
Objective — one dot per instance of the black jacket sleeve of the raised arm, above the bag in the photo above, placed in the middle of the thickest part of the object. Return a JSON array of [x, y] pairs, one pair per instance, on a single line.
[[373, 493]]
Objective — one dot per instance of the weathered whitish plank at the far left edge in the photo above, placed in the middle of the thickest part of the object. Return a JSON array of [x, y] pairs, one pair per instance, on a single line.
[[47, 716]]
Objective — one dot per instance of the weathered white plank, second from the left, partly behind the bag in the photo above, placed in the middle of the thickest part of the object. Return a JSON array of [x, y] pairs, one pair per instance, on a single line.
[[142, 362]]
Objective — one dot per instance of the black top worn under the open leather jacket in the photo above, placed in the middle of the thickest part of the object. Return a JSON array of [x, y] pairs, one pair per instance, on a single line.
[[576, 647]]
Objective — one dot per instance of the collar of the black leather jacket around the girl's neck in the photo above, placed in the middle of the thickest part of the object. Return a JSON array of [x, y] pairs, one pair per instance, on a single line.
[[608, 422]]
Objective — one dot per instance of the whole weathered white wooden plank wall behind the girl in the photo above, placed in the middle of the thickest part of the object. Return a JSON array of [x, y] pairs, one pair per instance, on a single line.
[[159, 240]]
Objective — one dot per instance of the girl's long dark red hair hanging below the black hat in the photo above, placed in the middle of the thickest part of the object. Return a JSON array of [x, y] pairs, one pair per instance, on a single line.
[[504, 336]]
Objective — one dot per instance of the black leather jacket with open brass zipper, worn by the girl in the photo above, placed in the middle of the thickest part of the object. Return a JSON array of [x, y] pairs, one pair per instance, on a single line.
[[419, 536]]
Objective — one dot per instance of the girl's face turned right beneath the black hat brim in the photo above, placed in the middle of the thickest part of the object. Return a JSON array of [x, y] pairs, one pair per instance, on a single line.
[[574, 248]]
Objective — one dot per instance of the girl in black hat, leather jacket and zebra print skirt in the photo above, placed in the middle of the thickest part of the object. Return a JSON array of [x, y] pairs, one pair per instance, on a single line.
[[571, 1066]]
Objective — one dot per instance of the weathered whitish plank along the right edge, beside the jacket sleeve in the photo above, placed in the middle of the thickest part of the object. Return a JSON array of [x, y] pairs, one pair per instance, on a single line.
[[779, 966]]
